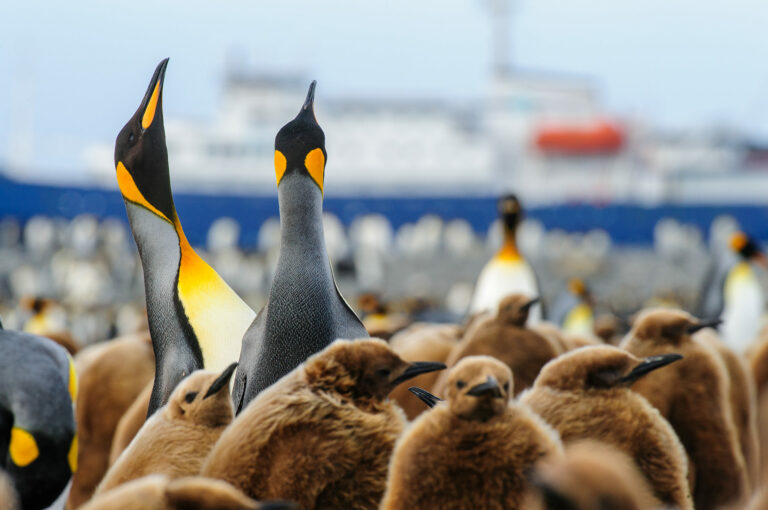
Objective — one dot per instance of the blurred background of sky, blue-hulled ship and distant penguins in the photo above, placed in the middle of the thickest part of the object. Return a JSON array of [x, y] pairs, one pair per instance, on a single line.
[[634, 133]]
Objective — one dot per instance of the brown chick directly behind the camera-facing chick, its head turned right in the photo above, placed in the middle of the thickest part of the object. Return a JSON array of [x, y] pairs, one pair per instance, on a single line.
[[506, 338]]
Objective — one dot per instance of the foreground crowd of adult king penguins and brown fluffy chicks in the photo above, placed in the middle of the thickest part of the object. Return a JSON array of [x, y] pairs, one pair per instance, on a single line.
[[527, 415]]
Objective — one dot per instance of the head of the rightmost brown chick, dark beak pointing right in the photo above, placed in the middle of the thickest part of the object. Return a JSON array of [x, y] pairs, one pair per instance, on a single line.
[[666, 326]]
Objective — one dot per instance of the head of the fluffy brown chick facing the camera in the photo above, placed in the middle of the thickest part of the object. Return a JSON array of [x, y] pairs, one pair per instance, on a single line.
[[479, 387]]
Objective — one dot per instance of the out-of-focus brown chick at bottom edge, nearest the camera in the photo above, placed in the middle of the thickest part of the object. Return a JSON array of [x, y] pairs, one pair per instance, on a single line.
[[591, 475]]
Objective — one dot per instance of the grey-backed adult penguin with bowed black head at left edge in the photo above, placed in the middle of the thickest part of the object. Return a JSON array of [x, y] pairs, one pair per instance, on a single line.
[[38, 386]]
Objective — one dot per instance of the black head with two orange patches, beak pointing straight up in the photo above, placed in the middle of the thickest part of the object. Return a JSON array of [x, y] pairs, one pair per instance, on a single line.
[[300, 145]]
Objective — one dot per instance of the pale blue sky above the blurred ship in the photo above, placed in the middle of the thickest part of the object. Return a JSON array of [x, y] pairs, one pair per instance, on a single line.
[[72, 73]]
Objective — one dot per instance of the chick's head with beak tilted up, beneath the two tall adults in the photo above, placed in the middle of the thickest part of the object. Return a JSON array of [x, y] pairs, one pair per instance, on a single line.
[[203, 398]]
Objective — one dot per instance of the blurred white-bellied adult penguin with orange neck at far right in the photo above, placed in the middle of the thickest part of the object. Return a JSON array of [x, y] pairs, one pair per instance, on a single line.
[[733, 292]]
